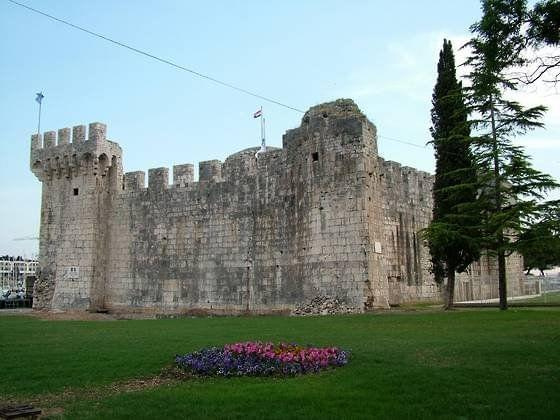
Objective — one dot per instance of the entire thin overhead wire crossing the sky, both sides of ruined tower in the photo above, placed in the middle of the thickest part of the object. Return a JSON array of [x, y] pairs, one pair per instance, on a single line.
[[180, 67]]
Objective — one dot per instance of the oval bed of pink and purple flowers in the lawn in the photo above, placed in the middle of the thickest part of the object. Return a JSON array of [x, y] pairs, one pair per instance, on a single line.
[[261, 359]]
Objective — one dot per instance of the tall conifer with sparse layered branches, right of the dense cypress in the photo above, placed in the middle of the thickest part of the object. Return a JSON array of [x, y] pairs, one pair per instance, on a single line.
[[510, 190]]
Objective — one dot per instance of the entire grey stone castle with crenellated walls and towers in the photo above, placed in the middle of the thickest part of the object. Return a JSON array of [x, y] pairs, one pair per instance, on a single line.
[[322, 216]]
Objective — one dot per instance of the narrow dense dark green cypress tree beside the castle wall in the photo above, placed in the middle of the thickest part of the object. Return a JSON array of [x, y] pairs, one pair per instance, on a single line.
[[452, 235]]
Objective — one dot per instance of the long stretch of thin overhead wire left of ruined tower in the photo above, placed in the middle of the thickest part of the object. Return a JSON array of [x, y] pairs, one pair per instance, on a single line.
[[163, 60]]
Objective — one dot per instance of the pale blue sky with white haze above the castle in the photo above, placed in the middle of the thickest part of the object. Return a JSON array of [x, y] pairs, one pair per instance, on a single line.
[[381, 54]]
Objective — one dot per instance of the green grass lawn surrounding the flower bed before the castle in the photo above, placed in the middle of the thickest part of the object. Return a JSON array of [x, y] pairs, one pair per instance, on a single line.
[[463, 364]]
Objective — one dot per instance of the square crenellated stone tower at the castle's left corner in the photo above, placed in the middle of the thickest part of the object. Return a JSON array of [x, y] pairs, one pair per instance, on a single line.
[[80, 179]]
